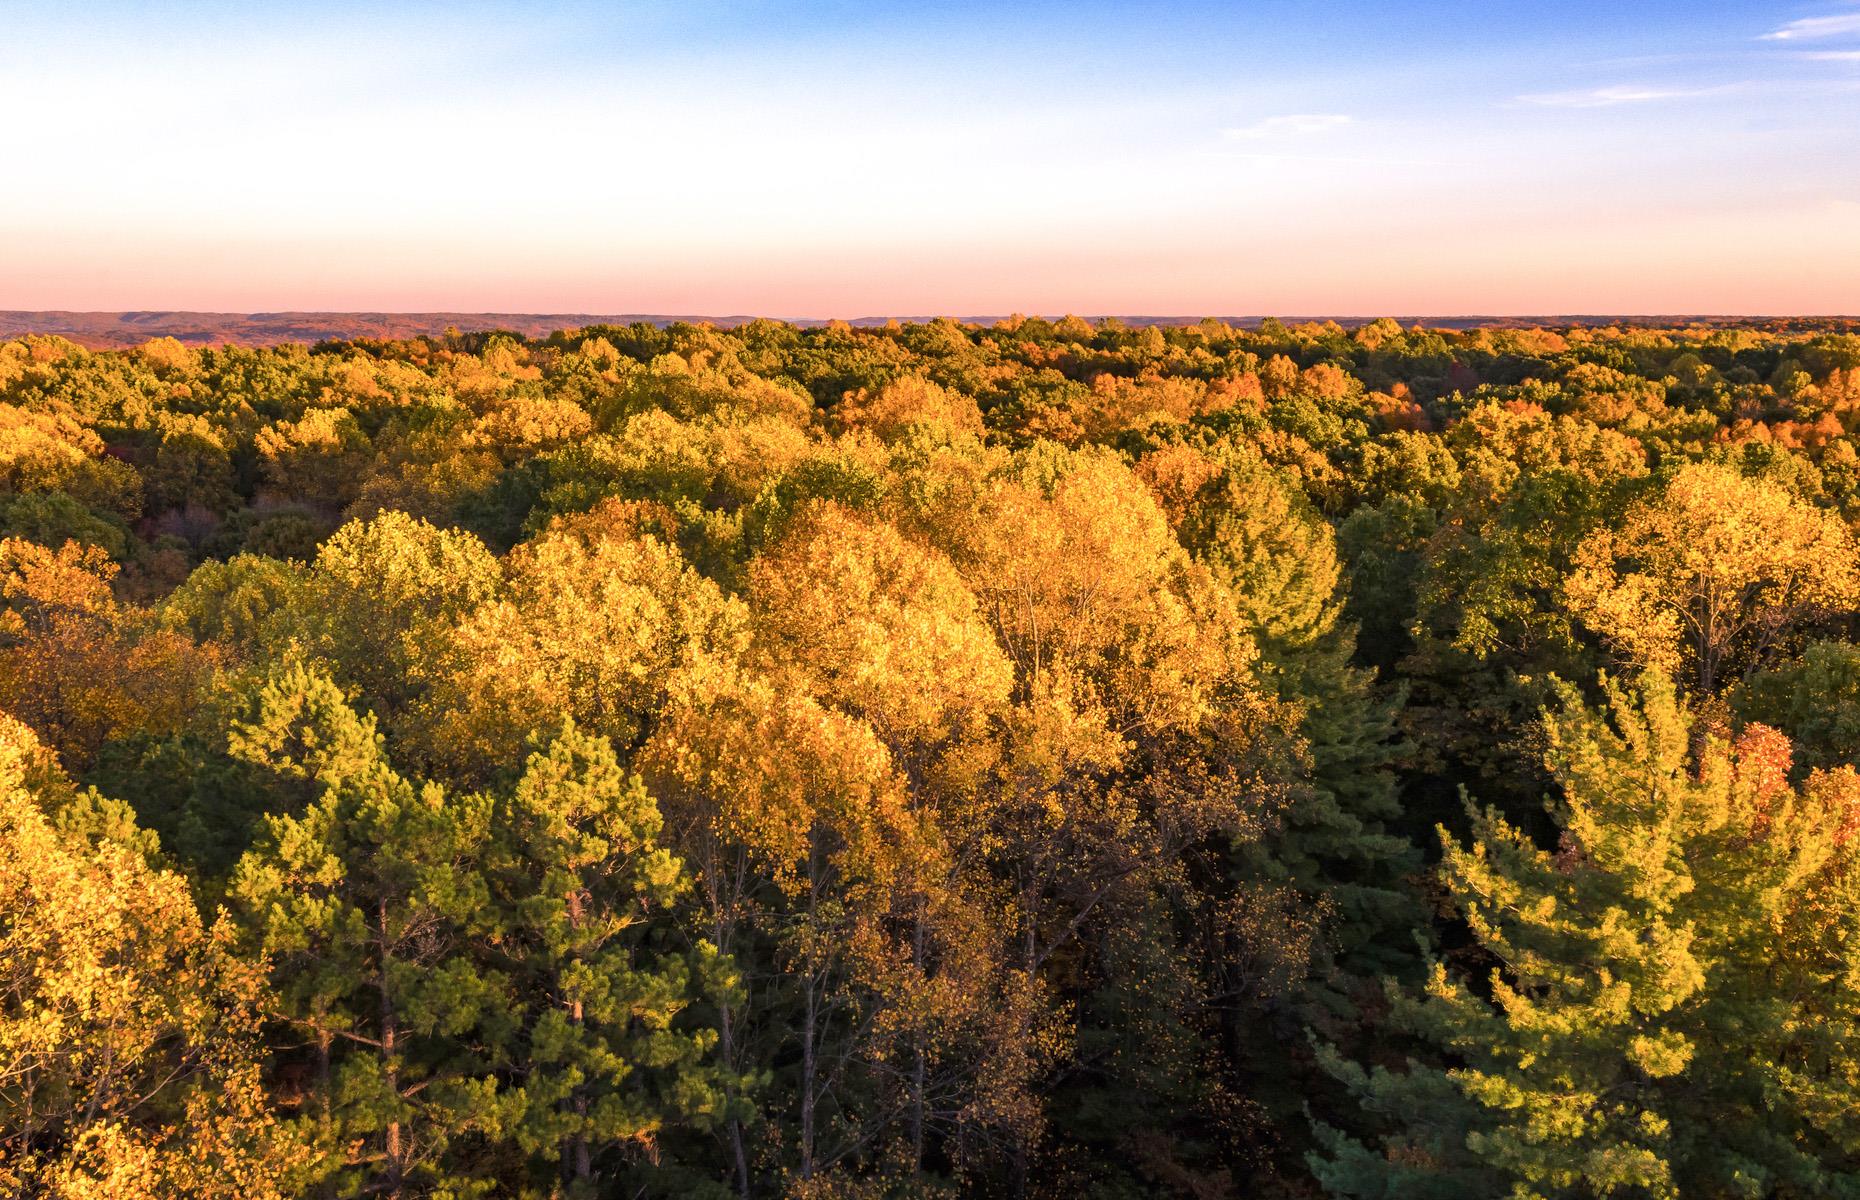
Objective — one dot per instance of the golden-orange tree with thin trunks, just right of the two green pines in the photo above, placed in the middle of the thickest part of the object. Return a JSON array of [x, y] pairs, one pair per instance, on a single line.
[[827, 821]]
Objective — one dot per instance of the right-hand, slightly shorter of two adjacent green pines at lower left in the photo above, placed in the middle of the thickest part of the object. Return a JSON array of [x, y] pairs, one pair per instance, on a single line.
[[604, 1056]]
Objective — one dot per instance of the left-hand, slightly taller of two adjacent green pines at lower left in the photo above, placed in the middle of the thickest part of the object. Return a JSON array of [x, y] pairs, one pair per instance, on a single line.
[[367, 905]]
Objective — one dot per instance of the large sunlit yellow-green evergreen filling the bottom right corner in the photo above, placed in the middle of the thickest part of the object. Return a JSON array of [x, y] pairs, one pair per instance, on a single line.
[[1653, 980]]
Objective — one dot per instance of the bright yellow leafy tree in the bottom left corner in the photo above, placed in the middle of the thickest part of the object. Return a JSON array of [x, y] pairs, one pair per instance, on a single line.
[[129, 1058]]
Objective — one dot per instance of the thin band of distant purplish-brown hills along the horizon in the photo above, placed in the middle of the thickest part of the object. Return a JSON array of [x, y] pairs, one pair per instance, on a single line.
[[111, 330]]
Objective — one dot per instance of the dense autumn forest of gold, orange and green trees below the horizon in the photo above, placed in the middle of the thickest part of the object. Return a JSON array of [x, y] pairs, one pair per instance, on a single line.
[[1035, 760]]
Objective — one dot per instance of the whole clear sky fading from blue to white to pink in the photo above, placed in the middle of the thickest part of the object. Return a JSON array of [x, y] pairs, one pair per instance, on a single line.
[[870, 159]]
